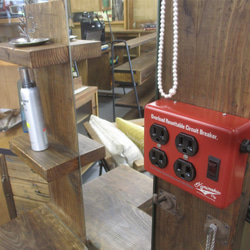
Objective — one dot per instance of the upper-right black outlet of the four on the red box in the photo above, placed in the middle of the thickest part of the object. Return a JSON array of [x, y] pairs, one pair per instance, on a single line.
[[186, 144]]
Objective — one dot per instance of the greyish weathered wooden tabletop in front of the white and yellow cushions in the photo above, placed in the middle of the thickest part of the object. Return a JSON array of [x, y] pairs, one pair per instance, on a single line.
[[115, 222]]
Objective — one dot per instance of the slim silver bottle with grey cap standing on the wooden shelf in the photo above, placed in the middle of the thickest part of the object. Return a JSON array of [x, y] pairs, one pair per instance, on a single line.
[[33, 110]]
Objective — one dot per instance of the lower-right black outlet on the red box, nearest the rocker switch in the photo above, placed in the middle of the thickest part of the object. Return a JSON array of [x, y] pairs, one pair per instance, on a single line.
[[184, 170]]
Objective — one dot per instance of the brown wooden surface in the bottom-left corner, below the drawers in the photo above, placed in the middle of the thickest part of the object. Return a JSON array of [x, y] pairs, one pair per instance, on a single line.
[[38, 229]]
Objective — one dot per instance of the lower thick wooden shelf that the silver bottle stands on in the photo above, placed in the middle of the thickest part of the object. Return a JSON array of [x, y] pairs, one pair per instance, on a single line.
[[57, 160]]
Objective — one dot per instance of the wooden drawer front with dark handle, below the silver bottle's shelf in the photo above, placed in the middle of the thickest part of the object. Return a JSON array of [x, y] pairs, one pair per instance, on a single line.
[[30, 190]]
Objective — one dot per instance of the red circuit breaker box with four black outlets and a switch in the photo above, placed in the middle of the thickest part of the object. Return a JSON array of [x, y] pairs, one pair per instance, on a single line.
[[196, 149]]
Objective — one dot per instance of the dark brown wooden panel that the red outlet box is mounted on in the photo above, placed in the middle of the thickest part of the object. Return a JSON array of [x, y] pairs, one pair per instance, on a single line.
[[213, 71]]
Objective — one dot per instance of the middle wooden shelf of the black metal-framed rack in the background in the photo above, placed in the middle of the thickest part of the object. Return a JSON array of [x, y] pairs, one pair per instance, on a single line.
[[143, 67]]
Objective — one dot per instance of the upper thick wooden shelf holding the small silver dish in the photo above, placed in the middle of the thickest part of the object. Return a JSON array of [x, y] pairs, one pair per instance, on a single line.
[[49, 54]]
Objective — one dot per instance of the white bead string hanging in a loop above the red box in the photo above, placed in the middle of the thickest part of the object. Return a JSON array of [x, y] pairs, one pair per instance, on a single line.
[[172, 91]]
